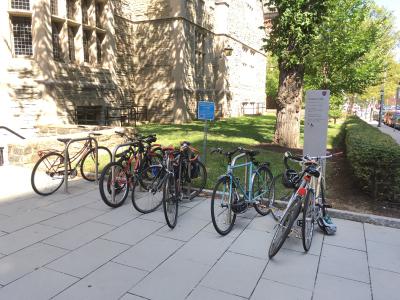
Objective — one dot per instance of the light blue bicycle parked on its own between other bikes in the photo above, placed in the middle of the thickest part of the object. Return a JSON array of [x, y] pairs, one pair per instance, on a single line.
[[230, 197]]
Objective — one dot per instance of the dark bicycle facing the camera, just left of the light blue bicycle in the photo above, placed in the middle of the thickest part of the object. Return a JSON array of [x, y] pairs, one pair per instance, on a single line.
[[186, 179]]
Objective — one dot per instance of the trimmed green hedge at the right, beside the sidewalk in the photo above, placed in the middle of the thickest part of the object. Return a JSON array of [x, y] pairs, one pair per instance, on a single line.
[[374, 158]]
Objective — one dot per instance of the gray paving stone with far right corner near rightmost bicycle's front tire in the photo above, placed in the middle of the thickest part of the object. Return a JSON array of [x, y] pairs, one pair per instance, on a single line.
[[235, 273]]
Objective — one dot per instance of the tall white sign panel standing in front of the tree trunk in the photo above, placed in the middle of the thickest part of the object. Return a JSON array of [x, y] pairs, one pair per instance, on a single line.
[[316, 122]]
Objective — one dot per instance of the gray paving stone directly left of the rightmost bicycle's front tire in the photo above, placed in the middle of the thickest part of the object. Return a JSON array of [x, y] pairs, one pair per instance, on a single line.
[[253, 243]]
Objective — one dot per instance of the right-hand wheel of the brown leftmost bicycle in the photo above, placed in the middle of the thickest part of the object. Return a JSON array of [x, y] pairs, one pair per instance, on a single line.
[[88, 163]]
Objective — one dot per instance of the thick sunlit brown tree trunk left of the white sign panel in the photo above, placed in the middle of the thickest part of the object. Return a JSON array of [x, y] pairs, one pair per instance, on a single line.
[[290, 93]]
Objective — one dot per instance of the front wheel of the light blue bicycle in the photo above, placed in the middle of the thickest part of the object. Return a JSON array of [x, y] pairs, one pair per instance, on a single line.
[[223, 197]]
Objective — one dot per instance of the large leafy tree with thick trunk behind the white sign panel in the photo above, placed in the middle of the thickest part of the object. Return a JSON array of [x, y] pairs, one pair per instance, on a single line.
[[290, 40]]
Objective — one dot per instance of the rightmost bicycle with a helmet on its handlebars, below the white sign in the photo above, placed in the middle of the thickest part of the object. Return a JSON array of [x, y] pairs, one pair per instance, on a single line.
[[306, 186]]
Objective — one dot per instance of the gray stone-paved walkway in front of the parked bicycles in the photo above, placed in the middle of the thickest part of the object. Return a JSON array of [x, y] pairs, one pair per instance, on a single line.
[[72, 246]]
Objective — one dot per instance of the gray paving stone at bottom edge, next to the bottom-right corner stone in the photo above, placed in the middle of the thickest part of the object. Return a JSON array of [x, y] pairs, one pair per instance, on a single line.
[[330, 287]]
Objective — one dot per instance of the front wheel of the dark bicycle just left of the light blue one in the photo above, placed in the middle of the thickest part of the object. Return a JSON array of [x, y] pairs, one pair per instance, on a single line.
[[170, 201]]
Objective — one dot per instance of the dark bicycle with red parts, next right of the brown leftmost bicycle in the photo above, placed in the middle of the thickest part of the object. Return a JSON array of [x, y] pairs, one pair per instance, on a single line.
[[128, 169]]
